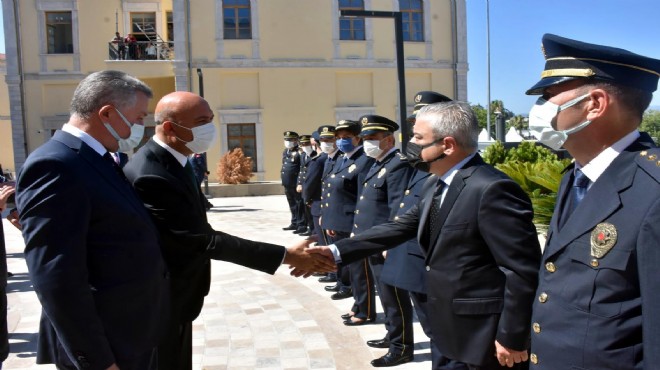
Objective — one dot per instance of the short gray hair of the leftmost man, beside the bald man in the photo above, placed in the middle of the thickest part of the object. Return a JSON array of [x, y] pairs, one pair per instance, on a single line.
[[106, 87]]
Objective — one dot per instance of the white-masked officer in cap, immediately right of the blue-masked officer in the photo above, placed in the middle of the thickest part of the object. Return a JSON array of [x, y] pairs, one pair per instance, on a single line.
[[383, 187]]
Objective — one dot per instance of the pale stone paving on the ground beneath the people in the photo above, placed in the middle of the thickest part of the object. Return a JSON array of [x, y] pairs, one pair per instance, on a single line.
[[250, 320]]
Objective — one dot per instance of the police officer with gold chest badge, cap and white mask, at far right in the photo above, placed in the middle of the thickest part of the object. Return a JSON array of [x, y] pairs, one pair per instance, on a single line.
[[598, 302]]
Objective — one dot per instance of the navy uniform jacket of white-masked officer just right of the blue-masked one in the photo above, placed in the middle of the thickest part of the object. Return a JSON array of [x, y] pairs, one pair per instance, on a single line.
[[382, 189]]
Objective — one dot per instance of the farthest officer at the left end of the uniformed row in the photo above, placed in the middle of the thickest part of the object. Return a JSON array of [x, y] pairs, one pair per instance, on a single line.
[[289, 175]]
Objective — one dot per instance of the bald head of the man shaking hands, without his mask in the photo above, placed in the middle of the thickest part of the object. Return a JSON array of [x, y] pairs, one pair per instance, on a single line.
[[176, 114]]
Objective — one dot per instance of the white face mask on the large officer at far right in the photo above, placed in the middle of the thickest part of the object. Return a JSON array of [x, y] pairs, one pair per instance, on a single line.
[[541, 116]]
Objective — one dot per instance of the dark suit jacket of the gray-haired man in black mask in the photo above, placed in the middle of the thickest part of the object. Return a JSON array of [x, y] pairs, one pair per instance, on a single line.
[[482, 266]]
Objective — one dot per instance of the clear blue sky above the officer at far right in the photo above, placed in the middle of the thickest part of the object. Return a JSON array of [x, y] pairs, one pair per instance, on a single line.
[[516, 29]]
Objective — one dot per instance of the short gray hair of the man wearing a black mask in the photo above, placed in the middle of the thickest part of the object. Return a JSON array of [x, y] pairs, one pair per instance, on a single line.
[[452, 118]]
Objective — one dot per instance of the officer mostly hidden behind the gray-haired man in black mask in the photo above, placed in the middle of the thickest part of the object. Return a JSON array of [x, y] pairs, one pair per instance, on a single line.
[[404, 265]]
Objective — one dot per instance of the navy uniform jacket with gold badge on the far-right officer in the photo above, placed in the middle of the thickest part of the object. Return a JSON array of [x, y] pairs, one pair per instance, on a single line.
[[604, 312]]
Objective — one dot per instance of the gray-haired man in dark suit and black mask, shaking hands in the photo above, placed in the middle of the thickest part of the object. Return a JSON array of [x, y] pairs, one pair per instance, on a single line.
[[481, 249]]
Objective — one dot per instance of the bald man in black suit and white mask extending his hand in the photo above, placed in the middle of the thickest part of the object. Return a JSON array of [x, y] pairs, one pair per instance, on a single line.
[[163, 179]]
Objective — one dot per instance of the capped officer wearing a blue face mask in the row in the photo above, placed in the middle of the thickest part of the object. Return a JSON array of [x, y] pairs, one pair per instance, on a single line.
[[340, 194]]
